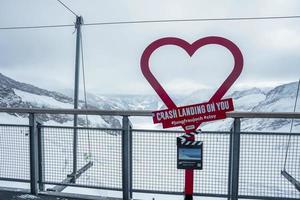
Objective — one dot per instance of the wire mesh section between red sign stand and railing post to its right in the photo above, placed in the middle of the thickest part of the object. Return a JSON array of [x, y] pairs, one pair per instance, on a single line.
[[213, 179]]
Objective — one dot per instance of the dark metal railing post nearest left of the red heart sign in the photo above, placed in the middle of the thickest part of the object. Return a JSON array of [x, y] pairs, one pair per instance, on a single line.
[[126, 159]]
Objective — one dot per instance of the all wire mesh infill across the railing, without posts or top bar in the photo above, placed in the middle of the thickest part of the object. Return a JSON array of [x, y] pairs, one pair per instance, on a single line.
[[154, 160]]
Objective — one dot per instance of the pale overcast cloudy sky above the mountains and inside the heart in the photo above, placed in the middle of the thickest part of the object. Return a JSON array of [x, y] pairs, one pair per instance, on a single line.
[[45, 57]]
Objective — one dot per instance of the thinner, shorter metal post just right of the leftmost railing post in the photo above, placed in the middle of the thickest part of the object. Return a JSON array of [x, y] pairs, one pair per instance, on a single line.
[[41, 156]]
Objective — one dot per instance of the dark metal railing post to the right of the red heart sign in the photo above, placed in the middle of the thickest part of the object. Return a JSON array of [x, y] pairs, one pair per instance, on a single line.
[[235, 159]]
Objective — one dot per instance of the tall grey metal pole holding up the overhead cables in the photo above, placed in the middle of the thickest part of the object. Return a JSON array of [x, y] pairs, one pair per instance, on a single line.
[[76, 92]]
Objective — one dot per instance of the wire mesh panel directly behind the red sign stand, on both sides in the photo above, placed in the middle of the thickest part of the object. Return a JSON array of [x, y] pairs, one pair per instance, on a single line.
[[155, 163]]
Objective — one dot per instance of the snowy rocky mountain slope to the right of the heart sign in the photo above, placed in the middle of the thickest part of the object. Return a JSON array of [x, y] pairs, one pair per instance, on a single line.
[[279, 99]]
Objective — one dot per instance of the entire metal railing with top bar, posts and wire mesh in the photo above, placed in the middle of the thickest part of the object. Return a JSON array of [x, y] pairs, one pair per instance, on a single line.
[[236, 164]]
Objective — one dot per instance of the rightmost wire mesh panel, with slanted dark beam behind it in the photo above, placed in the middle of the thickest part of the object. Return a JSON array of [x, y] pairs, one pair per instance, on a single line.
[[262, 158]]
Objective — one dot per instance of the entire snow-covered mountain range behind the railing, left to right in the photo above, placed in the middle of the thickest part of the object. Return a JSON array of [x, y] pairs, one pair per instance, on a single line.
[[278, 99]]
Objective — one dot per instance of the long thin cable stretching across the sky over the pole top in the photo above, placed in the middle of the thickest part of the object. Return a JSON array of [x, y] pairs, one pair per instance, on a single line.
[[157, 21]]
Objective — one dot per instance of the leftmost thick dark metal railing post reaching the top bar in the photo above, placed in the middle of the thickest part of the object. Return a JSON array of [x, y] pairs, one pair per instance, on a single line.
[[33, 133]]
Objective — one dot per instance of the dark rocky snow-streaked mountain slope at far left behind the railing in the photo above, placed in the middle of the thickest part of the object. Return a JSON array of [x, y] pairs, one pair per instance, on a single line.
[[21, 95]]
